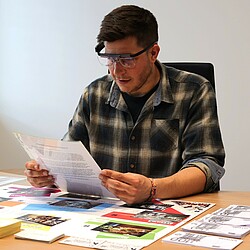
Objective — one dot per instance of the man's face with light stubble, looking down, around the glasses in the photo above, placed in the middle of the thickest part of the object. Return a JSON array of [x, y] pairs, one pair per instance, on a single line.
[[140, 79]]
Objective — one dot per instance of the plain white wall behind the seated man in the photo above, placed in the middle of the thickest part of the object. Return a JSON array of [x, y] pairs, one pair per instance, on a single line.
[[47, 57]]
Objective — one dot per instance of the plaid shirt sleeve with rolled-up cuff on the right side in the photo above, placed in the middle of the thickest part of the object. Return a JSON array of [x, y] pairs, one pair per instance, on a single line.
[[202, 138]]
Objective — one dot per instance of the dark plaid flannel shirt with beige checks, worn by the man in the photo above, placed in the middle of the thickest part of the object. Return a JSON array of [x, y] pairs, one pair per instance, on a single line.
[[177, 128]]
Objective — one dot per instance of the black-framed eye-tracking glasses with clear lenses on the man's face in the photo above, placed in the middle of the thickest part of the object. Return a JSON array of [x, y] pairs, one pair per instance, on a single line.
[[126, 60]]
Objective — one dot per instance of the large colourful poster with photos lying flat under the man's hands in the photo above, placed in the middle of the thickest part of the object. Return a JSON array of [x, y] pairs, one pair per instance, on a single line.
[[92, 221]]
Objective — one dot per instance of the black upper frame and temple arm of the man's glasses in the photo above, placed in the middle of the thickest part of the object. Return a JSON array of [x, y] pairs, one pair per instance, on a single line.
[[117, 57]]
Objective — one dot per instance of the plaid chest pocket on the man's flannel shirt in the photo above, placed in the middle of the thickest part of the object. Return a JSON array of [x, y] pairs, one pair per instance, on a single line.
[[164, 134]]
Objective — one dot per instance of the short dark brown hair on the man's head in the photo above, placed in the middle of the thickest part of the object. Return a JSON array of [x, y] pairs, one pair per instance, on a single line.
[[129, 20]]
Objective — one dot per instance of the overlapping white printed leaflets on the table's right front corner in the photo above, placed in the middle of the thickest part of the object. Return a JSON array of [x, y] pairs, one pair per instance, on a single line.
[[231, 222]]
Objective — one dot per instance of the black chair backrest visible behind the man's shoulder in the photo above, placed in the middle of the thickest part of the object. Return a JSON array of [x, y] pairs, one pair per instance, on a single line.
[[201, 68]]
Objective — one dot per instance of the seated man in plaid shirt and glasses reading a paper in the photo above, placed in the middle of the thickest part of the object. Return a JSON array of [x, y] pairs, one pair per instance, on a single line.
[[152, 129]]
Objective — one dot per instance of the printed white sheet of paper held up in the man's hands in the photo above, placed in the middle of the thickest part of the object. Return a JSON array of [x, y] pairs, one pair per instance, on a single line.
[[70, 163]]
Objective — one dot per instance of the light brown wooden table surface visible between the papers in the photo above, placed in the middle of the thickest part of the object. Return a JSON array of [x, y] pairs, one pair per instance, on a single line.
[[221, 199]]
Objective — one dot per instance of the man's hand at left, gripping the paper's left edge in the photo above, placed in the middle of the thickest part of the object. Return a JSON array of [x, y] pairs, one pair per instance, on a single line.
[[36, 176]]
